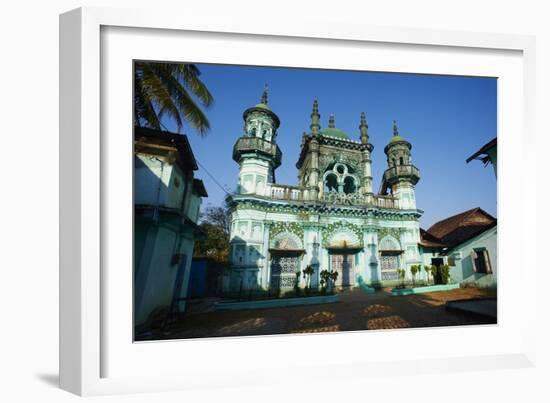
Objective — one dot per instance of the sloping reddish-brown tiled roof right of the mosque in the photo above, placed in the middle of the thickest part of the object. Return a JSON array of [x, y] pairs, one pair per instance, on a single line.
[[459, 228]]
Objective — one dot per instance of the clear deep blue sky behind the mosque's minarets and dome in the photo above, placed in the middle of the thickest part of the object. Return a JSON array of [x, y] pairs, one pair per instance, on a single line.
[[445, 118]]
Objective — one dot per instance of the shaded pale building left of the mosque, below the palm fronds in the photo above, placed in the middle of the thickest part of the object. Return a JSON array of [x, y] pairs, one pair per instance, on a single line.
[[167, 199]]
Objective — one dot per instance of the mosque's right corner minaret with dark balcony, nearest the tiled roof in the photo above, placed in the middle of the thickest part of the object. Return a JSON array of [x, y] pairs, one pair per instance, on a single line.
[[401, 175]]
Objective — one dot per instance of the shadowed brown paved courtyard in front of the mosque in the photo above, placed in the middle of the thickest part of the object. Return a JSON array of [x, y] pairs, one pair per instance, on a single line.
[[354, 311]]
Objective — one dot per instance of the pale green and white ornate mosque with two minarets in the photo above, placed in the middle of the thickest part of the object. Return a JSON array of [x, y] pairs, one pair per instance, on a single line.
[[332, 219]]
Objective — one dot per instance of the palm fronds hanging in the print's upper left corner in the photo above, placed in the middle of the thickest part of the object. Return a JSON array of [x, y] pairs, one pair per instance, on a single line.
[[169, 89]]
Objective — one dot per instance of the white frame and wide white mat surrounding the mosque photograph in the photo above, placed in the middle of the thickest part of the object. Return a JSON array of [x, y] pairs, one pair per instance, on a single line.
[[94, 343]]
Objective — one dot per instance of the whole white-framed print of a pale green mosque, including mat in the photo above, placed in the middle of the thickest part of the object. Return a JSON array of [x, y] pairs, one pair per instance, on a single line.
[[243, 201]]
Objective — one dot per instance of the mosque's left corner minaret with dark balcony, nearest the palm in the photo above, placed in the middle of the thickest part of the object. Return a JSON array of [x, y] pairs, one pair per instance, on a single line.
[[256, 151]]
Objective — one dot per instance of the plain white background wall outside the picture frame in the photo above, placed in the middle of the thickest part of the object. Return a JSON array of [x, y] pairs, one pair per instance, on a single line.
[[29, 296]]
